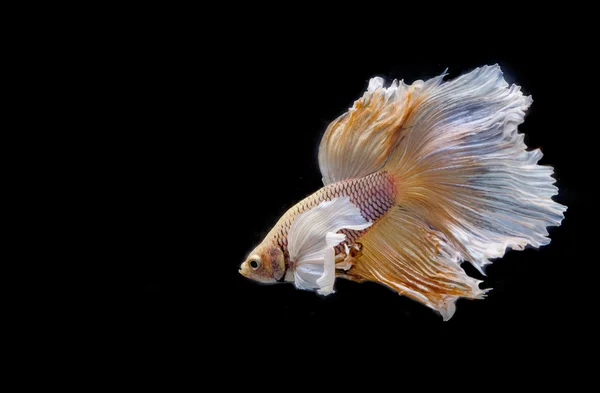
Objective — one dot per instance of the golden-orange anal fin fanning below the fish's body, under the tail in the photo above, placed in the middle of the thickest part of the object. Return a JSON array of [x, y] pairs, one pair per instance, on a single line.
[[409, 256]]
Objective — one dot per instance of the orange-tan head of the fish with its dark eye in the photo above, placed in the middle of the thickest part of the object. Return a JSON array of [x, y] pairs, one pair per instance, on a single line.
[[264, 264]]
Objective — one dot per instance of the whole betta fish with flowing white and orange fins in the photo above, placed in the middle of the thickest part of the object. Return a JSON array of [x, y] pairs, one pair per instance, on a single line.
[[417, 179]]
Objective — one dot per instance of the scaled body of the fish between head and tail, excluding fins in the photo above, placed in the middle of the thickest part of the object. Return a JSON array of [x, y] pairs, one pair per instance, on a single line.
[[374, 195]]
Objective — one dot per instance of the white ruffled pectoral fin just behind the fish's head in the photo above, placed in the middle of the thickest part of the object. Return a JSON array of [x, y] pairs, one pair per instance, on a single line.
[[312, 239]]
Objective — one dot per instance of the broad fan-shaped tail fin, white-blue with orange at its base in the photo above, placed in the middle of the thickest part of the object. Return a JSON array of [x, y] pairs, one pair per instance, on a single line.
[[463, 168]]
